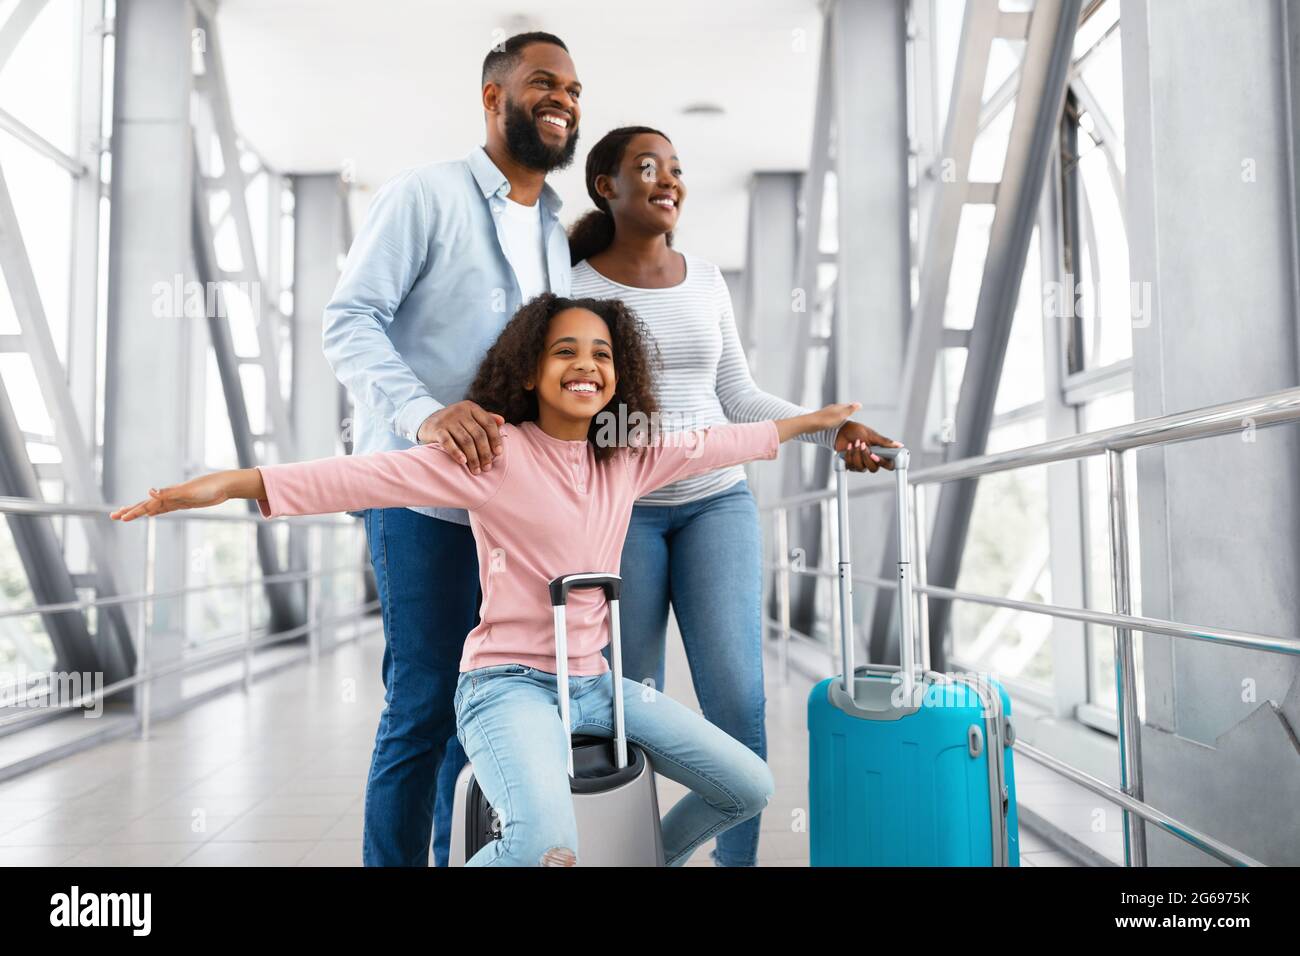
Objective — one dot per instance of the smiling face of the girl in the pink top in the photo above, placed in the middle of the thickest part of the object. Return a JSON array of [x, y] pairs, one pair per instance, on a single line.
[[575, 374]]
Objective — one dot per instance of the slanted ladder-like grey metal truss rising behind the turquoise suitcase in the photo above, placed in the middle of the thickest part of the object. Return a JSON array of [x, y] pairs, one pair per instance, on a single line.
[[1039, 94]]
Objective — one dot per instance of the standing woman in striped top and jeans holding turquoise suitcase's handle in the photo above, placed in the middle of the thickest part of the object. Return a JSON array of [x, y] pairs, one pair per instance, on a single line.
[[697, 543]]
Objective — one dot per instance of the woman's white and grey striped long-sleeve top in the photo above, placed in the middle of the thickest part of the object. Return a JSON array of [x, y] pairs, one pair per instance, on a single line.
[[707, 379]]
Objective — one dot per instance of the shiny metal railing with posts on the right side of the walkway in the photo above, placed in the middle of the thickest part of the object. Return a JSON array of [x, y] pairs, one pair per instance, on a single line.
[[1273, 409]]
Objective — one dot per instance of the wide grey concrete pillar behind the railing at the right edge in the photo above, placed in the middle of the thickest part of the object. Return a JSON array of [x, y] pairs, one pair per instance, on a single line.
[[1211, 175]]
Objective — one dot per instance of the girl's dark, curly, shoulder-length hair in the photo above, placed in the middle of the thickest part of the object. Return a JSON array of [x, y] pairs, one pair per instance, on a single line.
[[514, 358]]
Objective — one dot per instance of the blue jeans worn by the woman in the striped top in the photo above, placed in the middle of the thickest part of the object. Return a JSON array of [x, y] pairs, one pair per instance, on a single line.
[[705, 559]]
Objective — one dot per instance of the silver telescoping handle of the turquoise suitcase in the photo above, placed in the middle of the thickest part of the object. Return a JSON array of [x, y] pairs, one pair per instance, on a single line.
[[907, 631]]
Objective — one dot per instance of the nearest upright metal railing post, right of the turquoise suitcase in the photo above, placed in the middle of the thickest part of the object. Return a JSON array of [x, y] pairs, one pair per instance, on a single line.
[[1126, 673]]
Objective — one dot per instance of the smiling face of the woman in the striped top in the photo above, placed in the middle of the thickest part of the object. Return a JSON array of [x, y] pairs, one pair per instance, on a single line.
[[648, 192]]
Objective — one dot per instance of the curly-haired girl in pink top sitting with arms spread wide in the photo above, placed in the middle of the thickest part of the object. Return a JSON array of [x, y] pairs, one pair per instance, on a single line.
[[556, 501]]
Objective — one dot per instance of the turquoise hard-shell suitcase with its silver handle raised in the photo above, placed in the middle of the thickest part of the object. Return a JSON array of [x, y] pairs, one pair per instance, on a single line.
[[909, 772]]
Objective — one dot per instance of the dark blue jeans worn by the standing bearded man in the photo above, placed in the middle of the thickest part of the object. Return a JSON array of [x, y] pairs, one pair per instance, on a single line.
[[427, 576]]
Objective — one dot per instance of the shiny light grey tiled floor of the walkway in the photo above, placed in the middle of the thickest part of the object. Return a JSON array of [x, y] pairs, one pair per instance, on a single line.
[[278, 778]]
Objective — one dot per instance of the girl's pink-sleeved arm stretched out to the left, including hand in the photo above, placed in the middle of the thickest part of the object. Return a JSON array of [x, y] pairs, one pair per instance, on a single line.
[[426, 475]]
